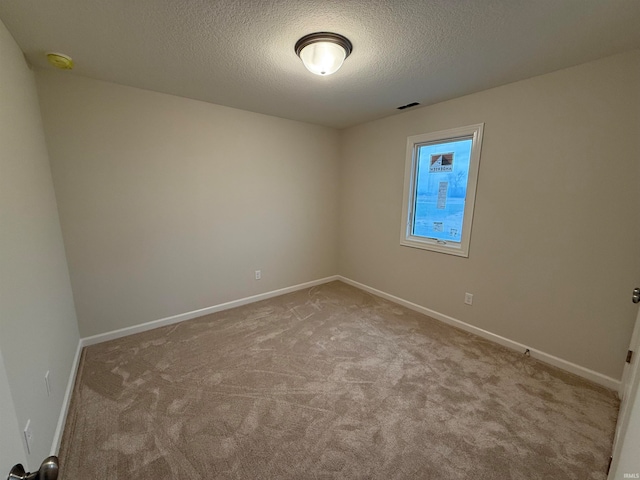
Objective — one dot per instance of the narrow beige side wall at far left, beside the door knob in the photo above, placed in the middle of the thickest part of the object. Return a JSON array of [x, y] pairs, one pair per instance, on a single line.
[[38, 328]]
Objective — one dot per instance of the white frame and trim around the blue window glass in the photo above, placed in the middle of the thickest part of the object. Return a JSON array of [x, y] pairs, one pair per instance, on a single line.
[[410, 182]]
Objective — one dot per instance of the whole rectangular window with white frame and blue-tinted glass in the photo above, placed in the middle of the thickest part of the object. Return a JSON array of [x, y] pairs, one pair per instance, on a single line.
[[441, 171]]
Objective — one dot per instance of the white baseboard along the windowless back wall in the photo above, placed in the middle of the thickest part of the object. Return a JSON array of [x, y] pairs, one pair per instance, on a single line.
[[143, 327]]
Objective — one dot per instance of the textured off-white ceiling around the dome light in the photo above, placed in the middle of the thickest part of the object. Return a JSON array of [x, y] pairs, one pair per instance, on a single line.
[[240, 53]]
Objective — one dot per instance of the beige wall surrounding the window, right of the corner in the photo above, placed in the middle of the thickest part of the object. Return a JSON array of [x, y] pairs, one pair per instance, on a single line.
[[555, 238]]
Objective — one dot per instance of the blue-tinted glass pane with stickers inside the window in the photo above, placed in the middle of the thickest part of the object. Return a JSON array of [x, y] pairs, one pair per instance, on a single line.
[[441, 189]]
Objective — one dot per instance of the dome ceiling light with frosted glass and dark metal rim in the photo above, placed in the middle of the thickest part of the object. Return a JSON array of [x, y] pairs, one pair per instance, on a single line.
[[323, 52]]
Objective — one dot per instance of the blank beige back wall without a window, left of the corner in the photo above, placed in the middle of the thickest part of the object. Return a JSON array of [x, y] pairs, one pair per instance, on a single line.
[[170, 205]]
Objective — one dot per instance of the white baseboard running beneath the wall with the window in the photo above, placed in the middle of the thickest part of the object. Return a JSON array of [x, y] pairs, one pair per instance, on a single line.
[[576, 369]]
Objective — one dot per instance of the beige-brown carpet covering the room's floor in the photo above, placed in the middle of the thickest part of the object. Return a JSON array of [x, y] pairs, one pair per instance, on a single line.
[[329, 382]]
